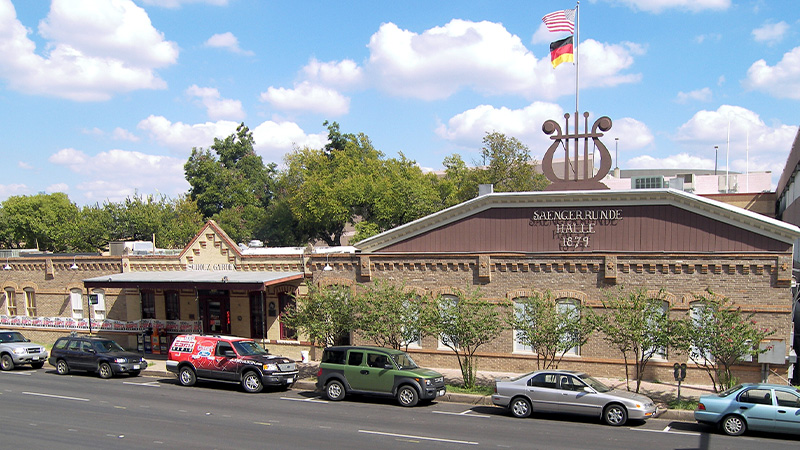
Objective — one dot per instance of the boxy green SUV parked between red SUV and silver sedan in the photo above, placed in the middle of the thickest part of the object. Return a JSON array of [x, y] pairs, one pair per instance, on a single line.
[[346, 370]]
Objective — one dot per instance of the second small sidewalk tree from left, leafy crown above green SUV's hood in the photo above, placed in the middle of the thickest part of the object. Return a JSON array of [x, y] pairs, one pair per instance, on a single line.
[[390, 316]]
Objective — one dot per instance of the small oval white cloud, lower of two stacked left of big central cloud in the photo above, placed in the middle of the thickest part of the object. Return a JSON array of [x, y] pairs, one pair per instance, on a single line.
[[307, 97]]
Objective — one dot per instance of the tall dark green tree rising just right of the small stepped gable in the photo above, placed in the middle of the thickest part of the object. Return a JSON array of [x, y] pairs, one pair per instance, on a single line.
[[230, 183]]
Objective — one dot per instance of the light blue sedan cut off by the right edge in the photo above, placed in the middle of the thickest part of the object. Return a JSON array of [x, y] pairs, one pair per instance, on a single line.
[[761, 407]]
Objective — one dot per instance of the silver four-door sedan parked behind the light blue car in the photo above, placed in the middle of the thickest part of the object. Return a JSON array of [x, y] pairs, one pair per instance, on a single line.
[[571, 392]]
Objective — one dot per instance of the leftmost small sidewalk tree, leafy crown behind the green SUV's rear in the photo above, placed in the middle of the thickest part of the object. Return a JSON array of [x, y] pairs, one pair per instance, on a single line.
[[324, 315]]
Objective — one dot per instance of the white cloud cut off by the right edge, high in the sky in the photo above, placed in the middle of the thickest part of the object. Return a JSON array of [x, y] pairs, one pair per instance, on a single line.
[[781, 80]]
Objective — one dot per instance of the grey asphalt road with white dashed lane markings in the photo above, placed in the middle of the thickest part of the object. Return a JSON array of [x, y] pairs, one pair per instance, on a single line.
[[39, 409]]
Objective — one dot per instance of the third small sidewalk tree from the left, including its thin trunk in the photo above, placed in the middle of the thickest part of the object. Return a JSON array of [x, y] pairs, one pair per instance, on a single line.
[[463, 324]]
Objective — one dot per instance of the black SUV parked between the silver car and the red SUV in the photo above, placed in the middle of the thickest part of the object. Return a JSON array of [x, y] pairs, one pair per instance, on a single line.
[[94, 354]]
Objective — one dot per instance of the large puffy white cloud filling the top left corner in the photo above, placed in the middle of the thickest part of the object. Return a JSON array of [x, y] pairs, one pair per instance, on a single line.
[[95, 50]]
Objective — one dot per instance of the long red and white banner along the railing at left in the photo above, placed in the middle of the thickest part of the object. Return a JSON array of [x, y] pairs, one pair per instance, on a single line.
[[122, 326]]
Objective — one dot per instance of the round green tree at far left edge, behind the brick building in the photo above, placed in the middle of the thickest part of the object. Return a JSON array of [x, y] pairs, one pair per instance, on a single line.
[[45, 221]]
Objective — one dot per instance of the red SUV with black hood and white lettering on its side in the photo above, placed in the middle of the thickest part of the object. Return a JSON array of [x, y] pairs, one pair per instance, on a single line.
[[229, 358]]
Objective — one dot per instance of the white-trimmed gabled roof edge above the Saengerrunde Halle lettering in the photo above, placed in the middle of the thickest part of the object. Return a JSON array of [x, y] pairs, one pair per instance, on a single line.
[[712, 209]]
